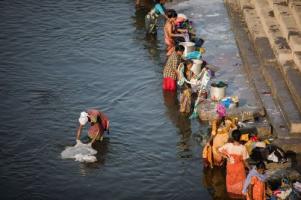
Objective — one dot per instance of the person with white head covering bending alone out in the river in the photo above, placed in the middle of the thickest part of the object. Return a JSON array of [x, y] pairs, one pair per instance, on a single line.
[[98, 124]]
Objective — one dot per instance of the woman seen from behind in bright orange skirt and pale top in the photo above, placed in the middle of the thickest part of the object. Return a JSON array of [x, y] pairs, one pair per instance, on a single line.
[[236, 155]]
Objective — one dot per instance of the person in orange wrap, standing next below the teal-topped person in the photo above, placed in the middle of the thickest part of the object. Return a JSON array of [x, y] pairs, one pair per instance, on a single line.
[[170, 31]]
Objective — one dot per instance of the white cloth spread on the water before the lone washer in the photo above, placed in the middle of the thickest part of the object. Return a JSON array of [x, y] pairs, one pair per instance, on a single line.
[[80, 152]]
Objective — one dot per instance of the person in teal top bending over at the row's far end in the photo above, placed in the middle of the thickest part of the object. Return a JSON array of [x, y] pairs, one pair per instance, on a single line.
[[151, 19]]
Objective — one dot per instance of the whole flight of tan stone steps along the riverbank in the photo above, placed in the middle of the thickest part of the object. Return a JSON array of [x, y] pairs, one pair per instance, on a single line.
[[268, 34]]
